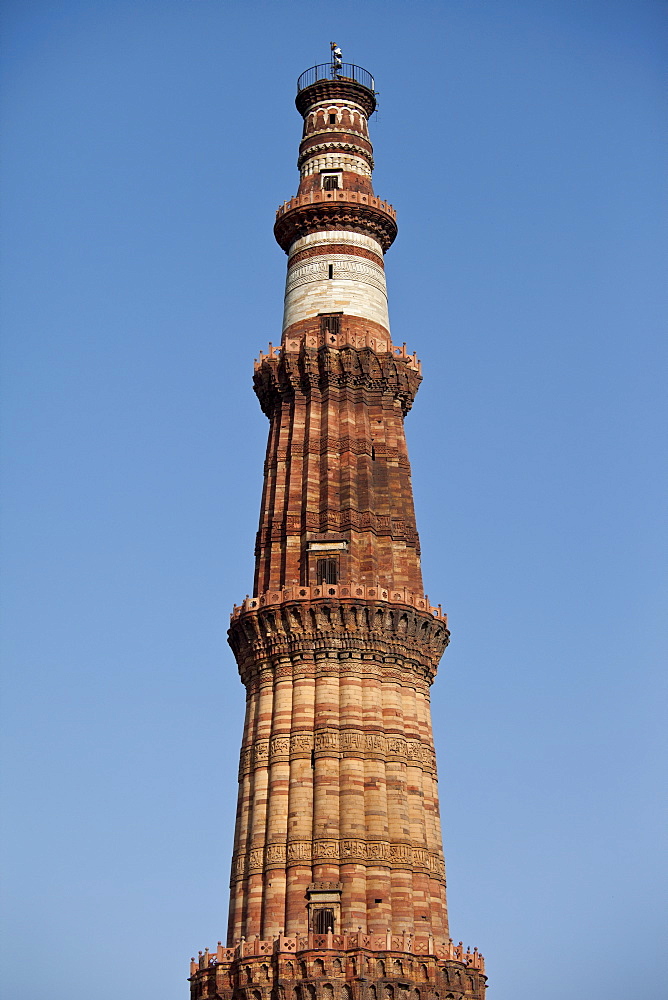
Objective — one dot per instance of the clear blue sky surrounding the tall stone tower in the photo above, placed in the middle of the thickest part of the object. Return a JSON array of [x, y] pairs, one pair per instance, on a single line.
[[146, 147]]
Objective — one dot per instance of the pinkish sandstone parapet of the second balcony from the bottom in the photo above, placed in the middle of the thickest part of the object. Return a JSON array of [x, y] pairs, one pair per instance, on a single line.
[[347, 591]]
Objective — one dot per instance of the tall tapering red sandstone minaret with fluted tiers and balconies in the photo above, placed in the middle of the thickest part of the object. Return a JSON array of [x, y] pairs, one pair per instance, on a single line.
[[338, 878]]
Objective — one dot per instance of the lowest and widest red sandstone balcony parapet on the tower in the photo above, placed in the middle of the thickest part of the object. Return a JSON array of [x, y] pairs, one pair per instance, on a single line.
[[406, 944]]
